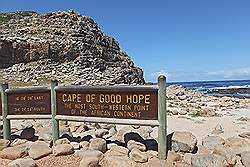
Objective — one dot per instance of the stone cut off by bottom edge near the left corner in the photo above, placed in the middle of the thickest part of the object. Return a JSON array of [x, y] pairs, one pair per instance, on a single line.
[[23, 162]]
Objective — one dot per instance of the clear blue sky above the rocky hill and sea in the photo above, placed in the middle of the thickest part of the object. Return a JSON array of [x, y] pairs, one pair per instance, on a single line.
[[186, 40]]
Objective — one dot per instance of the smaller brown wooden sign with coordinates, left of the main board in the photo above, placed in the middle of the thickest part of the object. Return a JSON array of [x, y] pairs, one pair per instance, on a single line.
[[29, 101]]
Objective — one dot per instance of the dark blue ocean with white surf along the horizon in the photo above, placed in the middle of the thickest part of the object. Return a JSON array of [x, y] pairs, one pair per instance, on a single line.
[[234, 88]]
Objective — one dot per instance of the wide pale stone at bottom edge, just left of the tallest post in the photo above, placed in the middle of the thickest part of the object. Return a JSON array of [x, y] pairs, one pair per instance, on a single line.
[[117, 161]]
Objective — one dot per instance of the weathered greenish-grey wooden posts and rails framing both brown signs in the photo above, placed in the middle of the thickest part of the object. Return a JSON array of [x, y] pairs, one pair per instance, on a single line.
[[161, 123]]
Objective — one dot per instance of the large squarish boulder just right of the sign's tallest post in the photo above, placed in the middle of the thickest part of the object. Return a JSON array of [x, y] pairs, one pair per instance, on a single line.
[[184, 142]]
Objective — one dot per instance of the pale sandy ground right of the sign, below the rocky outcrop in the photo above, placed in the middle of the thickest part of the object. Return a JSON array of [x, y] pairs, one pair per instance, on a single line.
[[203, 126]]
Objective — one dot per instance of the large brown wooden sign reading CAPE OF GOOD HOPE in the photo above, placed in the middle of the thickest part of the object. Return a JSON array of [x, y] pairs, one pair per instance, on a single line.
[[108, 102]]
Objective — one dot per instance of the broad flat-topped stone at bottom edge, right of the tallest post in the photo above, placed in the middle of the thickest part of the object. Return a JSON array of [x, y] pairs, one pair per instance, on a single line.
[[207, 160]]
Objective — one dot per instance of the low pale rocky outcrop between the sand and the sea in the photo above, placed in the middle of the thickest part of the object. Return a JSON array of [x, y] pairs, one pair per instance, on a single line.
[[182, 101]]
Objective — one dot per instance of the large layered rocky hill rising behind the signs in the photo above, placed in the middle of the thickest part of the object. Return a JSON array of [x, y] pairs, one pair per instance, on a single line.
[[64, 45]]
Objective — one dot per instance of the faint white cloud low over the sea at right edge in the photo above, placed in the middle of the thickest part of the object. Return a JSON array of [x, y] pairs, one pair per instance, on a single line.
[[239, 72]]
